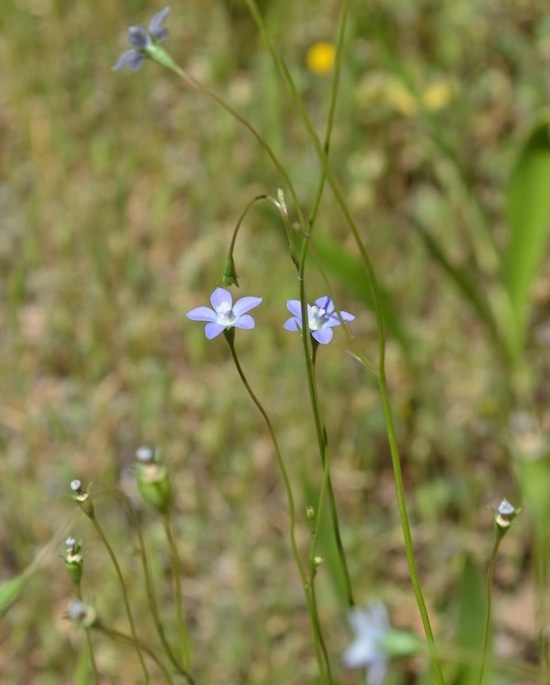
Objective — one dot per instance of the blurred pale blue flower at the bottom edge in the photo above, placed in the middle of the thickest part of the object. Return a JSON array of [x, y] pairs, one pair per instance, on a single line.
[[370, 627]]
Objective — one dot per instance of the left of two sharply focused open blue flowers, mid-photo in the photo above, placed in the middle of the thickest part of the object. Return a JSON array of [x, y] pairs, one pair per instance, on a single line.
[[224, 314]]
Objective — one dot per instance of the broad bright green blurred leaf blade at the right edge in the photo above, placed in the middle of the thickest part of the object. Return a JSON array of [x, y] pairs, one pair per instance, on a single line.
[[528, 217]]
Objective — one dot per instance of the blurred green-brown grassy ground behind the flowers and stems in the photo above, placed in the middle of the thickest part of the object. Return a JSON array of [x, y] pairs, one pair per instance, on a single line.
[[118, 196]]
